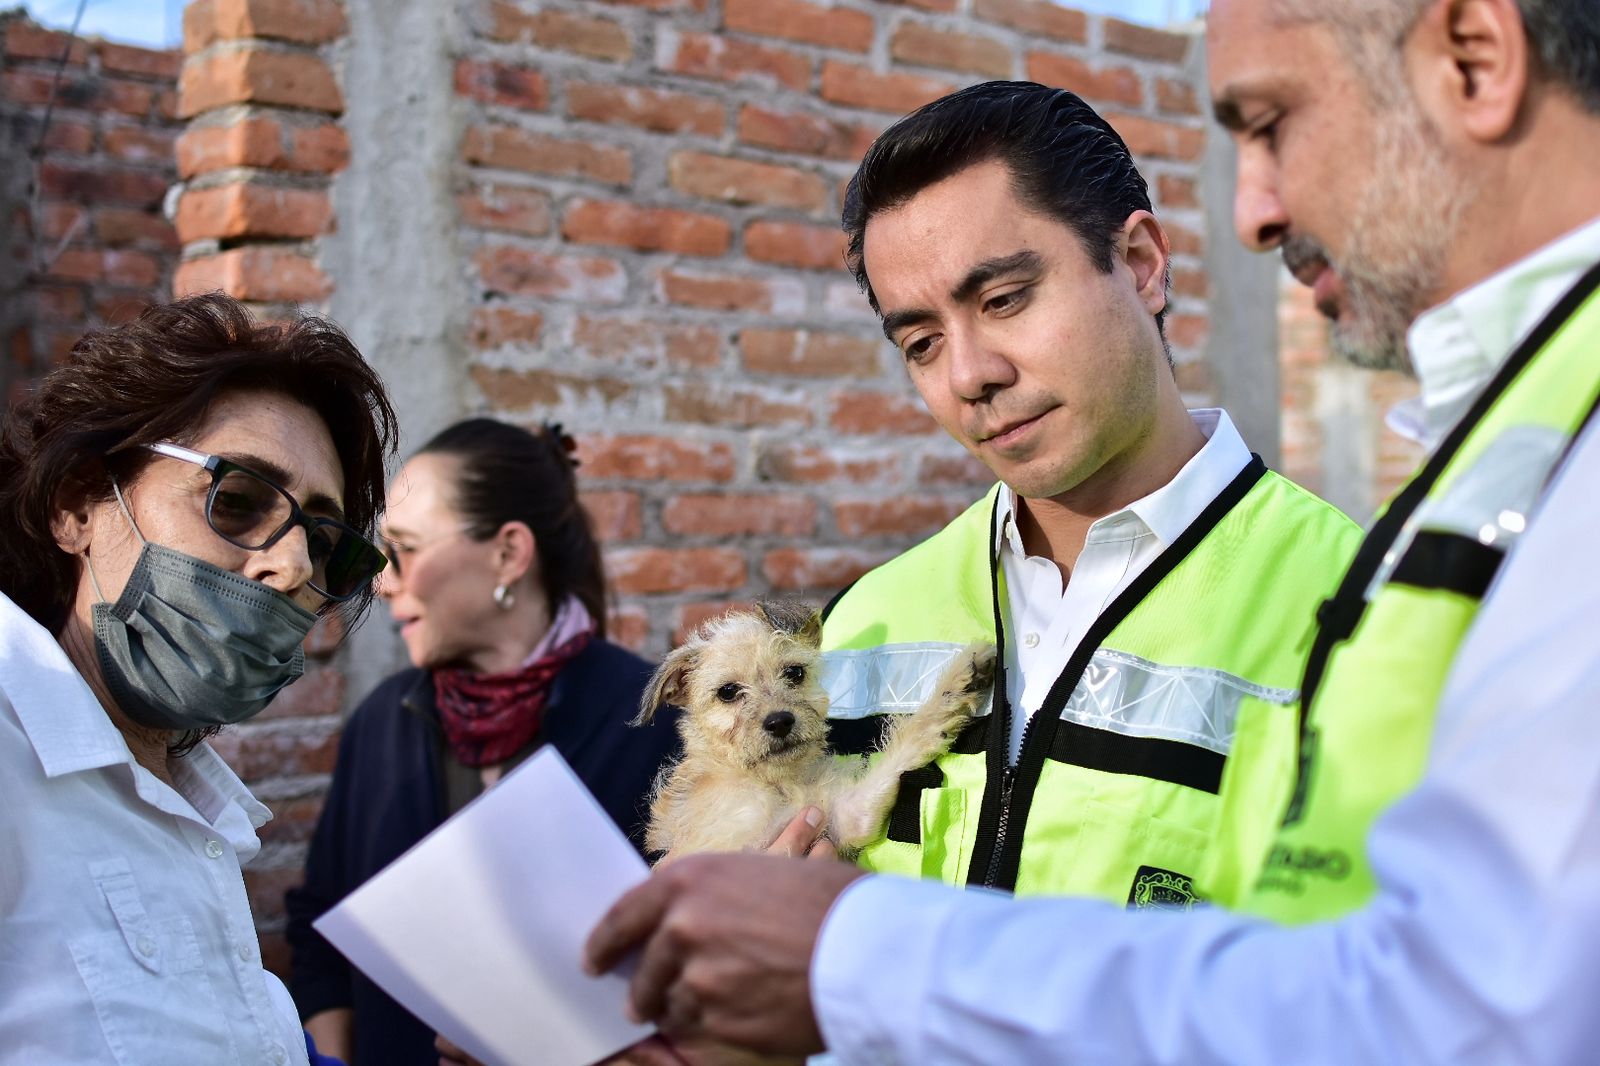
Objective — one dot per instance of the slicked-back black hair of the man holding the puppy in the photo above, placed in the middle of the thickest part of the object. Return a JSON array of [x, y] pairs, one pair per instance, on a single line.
[[1065, 162]]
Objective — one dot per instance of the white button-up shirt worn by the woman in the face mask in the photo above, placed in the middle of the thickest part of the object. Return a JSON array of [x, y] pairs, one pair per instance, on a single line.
[[126, 936]]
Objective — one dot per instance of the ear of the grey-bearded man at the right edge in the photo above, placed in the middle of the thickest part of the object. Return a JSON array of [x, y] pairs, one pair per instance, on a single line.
[[1470, 66]]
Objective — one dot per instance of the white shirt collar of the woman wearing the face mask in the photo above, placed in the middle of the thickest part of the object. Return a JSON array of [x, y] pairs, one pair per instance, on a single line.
[[71, 732]]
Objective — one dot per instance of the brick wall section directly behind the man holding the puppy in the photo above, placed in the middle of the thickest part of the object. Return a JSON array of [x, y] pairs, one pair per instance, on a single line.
[[649, 199]]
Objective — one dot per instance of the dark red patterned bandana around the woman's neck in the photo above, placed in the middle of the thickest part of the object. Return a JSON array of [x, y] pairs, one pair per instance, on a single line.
[[490, 718]]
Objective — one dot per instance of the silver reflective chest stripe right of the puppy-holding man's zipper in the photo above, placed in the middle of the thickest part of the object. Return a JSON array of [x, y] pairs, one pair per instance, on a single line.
[[1196, 705]]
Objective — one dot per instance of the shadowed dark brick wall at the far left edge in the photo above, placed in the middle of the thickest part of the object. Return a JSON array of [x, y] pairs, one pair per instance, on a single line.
[[92, 247]]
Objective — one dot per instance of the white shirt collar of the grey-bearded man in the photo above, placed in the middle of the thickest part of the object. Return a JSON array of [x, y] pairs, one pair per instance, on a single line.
[[1460, 345]]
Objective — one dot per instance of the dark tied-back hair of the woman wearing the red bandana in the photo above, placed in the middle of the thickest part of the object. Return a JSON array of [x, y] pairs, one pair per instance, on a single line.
[[510, 475]]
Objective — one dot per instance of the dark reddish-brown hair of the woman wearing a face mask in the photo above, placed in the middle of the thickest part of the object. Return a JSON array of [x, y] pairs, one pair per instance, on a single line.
[[156, 380]]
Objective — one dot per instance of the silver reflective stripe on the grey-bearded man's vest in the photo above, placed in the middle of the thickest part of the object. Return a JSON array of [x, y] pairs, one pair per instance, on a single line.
[[1489, 502]]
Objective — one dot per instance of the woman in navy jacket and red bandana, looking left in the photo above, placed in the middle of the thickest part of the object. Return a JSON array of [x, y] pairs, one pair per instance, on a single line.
[[497, 587]]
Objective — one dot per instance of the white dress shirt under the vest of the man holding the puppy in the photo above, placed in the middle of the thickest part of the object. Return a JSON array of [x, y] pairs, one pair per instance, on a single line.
[[1047, 622]]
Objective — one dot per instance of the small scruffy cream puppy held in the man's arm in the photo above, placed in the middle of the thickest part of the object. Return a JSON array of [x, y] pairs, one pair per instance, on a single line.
[[756, 737]]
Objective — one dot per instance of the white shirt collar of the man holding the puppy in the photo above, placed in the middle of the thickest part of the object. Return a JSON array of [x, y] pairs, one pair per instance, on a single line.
[[1172, 508]]
